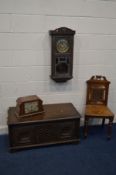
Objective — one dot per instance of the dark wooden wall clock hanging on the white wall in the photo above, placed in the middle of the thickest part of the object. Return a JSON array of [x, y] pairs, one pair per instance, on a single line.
[[62, 41]]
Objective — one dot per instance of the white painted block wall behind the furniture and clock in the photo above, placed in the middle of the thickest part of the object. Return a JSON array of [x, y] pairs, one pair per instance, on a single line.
[[25, 58]]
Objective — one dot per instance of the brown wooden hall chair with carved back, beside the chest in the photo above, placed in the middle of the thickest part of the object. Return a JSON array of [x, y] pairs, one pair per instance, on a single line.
[[96, 103]]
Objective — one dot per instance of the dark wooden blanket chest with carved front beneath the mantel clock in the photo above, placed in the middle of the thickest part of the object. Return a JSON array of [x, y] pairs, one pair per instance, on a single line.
[[60, 123]]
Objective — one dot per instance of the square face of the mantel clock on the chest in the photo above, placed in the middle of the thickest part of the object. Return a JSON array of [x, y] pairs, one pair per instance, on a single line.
[[31, 107]]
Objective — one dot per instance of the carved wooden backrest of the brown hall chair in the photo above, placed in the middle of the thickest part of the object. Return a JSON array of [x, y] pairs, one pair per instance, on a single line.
[[97, 90]]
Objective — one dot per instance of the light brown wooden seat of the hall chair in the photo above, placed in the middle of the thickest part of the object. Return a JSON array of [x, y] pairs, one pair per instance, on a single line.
[[98, 111]]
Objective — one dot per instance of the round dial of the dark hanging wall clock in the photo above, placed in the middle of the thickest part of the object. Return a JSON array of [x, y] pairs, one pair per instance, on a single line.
[[62, 45]]
